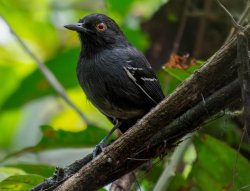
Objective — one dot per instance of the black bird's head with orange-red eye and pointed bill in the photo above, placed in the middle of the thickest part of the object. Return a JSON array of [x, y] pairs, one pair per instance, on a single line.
[[97, 31]]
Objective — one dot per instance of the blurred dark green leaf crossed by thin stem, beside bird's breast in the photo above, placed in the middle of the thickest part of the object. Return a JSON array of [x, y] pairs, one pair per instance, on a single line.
[[35, 85]]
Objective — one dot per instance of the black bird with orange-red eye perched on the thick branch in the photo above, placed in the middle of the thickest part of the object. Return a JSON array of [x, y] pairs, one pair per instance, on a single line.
[[114, 75]]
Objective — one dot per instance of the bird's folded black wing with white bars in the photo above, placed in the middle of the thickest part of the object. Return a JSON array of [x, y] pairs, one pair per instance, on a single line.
[[141, 73]]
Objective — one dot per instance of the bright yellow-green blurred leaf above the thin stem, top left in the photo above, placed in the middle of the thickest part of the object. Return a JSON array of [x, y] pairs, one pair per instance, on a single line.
[[32, 23]]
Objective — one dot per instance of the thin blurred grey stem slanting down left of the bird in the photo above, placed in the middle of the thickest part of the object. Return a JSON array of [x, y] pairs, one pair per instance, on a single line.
[[47, 74]]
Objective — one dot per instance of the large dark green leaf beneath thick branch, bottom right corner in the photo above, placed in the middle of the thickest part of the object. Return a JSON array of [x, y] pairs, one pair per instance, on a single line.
[[214, 167]]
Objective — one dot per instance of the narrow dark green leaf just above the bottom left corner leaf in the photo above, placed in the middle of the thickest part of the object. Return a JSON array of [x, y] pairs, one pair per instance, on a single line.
[[39, 169]]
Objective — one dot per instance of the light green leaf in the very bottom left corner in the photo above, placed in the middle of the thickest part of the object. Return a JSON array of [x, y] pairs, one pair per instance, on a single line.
[[20, 182]]
